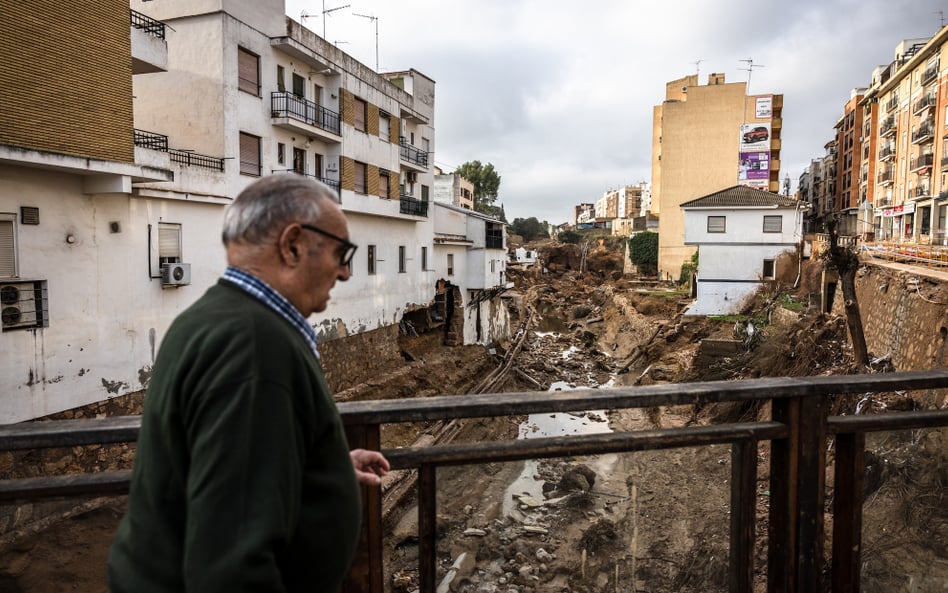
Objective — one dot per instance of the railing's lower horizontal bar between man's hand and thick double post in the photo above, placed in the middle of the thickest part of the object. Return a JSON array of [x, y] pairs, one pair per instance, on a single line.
[[589, 444]]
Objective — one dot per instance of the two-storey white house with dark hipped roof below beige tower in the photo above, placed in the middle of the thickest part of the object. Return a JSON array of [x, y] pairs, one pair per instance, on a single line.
[[740, 232]]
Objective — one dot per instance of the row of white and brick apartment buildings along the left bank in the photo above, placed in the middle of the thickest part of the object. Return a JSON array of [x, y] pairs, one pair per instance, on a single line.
[[111, 206]]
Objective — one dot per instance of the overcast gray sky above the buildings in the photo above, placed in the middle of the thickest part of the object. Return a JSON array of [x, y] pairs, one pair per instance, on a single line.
[[559, 95]]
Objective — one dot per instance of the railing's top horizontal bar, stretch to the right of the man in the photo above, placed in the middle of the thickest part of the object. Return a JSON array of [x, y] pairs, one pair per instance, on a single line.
[[519, 403]]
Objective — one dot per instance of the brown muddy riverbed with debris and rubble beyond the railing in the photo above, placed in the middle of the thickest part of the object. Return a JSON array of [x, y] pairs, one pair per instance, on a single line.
[[648, 521]]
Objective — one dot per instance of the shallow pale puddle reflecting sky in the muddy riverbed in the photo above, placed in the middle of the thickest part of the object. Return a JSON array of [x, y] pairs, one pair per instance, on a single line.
[[556, 425]]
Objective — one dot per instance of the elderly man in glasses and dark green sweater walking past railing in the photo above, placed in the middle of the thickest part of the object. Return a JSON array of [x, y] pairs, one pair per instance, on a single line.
[[243, 480]]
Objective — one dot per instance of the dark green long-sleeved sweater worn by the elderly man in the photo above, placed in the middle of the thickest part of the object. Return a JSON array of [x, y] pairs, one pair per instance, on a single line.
[[242, 478]]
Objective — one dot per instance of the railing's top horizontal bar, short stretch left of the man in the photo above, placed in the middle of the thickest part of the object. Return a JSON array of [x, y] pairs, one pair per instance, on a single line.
[[68, 433]]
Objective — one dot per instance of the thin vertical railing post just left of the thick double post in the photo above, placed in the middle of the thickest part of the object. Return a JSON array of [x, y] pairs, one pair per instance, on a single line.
[[743, 516]]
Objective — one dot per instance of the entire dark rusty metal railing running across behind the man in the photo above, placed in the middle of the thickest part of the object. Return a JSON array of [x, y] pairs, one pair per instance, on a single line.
[[799, 430]]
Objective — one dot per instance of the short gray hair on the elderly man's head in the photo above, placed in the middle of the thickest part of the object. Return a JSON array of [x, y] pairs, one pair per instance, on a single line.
[[268, 205]]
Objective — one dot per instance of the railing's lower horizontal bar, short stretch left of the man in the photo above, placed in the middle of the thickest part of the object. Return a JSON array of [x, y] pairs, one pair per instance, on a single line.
[[97, 484]]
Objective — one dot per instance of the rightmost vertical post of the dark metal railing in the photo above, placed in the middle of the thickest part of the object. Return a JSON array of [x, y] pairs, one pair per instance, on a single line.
[[848, 486]]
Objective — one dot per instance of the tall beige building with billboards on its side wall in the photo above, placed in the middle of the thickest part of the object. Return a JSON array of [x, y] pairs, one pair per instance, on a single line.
[[706, 138]]
